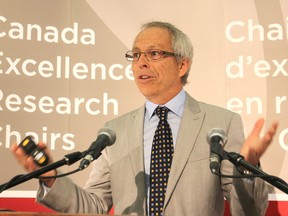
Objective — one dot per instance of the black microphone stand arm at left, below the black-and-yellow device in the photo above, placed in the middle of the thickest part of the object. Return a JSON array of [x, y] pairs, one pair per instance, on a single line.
[[67, 160]]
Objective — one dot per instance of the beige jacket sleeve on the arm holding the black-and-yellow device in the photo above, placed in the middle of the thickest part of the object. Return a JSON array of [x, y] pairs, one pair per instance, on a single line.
[[65, 196]]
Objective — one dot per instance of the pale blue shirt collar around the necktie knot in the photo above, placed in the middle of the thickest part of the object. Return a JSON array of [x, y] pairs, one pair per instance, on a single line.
[[176, 105]]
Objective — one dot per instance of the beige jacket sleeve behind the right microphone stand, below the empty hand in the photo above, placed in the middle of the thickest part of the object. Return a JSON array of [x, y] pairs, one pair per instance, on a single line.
[[246, 197]]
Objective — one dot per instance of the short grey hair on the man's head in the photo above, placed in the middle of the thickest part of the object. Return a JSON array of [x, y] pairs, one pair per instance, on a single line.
[[181, 44]]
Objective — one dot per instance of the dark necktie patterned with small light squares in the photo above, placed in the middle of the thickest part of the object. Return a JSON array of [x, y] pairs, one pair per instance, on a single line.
[[161, 159]]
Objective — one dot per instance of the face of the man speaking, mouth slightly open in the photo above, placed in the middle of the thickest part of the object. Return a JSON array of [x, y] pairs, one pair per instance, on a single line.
[[158, 80]]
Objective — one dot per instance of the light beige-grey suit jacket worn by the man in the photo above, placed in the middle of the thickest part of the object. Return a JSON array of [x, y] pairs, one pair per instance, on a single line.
[[117, 178]]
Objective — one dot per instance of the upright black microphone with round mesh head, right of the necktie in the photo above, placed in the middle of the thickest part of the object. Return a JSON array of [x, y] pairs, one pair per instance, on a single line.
[[217, 138]]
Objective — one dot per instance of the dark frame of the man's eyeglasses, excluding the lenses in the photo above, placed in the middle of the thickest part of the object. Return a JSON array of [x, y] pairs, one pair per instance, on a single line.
[[162, 54]]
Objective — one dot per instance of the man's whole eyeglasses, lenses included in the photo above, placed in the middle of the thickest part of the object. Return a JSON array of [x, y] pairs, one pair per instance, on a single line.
[[154, 54]]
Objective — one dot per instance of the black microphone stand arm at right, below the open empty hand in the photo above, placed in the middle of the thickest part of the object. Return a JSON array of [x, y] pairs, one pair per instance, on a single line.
[[238, 161]]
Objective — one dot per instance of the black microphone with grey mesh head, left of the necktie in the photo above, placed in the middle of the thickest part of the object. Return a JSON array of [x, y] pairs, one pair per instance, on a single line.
[[106, 137]]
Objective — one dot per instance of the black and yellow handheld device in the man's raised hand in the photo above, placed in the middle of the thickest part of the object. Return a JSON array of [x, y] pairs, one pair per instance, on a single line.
[[30, 148]]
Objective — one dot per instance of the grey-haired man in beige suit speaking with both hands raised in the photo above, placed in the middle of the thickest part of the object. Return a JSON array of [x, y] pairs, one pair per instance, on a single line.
[[161, 58]]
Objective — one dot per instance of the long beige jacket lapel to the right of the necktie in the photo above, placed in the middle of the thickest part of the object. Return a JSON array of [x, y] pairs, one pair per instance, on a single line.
[[190, 126]]
